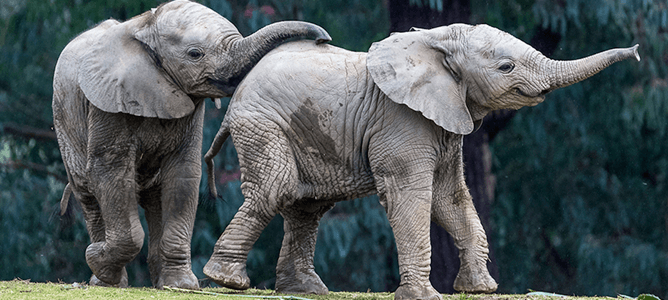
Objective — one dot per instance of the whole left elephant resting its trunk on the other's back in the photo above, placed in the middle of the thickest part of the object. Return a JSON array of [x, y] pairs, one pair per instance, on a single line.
[[128, 112]]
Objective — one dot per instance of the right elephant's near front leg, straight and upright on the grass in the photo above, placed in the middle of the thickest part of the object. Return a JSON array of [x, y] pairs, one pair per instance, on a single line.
[[407, 201]]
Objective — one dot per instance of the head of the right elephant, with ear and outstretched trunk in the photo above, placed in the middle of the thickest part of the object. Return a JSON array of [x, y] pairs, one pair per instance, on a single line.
[[456, 74]]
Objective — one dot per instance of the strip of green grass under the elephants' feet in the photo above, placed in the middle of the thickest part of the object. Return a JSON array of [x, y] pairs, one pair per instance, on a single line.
[[24, 289]]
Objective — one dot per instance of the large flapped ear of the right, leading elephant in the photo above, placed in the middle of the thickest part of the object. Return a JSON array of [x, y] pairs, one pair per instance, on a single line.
[[412, 72]]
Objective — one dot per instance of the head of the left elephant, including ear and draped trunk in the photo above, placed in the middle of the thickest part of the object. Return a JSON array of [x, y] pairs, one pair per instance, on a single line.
[[158, 63]]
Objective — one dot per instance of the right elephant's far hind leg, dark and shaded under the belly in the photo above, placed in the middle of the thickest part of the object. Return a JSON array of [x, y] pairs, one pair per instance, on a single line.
[[295, 273]]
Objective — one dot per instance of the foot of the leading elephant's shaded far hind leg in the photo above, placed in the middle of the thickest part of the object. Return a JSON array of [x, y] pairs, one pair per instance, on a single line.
[[299, 282]]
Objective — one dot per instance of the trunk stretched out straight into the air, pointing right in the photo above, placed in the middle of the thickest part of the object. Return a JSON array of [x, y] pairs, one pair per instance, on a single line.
[[564, 73]]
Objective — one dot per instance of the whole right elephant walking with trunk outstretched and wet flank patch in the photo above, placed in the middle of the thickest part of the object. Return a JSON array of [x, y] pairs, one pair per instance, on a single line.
[[314, 125]]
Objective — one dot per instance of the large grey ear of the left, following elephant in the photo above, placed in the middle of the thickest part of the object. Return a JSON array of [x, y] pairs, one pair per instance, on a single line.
[[121, 74]]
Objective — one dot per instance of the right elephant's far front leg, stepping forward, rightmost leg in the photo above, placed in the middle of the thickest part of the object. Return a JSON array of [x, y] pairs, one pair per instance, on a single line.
[[453, 210]]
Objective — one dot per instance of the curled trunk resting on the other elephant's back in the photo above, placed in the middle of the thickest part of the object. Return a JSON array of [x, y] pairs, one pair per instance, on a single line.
[[246, 52]]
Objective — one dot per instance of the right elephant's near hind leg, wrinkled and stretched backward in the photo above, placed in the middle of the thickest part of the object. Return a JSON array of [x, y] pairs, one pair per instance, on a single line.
[[267, 174]]
